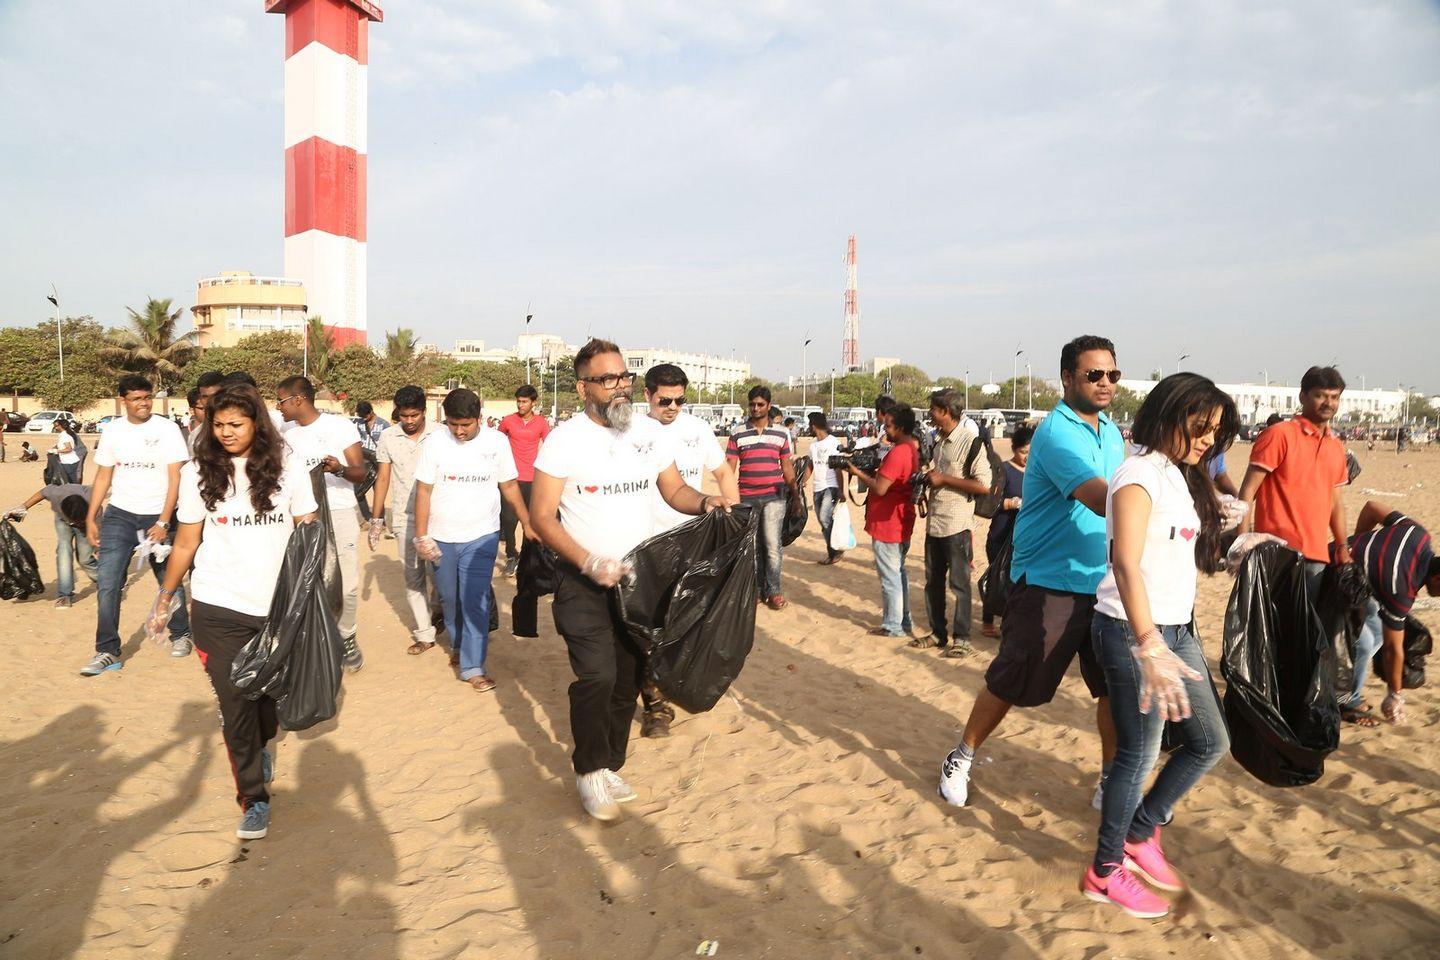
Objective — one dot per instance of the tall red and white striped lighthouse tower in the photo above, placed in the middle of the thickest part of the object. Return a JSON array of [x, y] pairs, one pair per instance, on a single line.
[[326, 104]]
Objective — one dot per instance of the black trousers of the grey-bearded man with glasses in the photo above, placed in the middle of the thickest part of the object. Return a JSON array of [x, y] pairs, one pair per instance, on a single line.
[[607, 667]]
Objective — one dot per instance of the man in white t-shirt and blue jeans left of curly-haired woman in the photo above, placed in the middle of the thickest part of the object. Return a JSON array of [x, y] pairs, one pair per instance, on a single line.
[[139, 468]]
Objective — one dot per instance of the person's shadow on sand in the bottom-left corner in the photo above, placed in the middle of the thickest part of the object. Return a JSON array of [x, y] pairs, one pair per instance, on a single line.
[[54, 838]]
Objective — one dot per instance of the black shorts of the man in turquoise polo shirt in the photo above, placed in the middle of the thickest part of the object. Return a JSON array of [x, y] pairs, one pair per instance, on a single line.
[[1039, 638]]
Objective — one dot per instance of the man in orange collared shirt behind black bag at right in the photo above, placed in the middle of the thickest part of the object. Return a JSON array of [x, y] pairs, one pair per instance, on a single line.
[[1297, 474]]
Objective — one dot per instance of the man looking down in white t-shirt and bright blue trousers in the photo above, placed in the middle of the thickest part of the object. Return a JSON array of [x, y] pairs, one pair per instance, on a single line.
[[460, 481]]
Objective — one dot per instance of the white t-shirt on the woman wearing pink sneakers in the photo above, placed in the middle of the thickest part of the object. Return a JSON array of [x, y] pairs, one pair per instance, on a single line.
[[1169, 562]]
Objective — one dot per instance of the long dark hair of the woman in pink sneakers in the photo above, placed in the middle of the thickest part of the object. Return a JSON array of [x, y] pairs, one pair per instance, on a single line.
[[1166, 418]]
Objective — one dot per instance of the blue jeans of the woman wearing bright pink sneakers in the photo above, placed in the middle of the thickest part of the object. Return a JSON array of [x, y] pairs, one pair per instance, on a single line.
[[1127, 815]]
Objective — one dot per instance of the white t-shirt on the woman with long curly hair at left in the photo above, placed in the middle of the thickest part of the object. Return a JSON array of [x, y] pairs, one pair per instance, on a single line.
[[241, 551]]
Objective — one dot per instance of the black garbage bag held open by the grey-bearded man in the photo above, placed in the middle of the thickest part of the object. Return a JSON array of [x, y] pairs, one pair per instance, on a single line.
[[690, 605]]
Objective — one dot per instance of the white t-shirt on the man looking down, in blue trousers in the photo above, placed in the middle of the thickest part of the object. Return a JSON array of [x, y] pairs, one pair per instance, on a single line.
[[466, 480]]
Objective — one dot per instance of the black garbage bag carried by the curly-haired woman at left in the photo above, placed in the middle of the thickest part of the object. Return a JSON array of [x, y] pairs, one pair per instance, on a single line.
[[296, 656]]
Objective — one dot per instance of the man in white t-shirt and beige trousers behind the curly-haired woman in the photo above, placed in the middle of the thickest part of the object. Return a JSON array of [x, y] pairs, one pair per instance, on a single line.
[[325, 438]]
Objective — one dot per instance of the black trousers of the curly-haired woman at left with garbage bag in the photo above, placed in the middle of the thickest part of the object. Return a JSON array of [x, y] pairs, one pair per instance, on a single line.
[[247, 725]]
